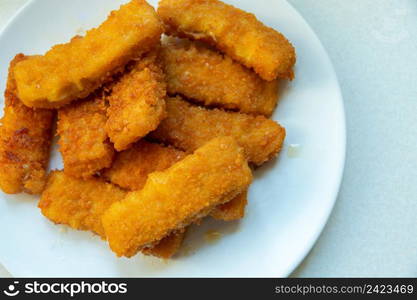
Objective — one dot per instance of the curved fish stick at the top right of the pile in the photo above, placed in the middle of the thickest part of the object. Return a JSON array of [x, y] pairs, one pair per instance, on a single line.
[[235, 32]]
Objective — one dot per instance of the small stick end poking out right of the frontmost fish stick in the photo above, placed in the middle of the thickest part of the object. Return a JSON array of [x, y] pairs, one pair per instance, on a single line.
[[232, 210]]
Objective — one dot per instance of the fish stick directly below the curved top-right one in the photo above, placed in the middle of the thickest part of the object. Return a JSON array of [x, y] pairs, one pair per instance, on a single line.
[[213, 79]]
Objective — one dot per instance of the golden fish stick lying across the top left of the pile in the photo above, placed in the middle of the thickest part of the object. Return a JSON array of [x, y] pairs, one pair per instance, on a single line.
[[75, 69]]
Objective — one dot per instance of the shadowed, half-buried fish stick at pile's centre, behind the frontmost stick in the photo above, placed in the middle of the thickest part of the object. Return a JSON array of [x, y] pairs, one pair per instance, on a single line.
[[131, 167]]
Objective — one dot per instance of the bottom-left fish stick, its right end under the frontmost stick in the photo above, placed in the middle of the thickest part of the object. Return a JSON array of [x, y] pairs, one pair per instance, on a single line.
[[78, 203]]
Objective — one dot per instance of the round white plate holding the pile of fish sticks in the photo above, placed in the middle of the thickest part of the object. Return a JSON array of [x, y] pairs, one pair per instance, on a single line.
[[289, 202]]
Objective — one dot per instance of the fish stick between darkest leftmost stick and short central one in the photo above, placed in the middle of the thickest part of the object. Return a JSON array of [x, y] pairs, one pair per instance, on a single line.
[[83, 141]]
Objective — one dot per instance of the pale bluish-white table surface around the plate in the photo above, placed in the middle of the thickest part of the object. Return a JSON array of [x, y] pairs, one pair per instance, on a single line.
[[373, 46]]
